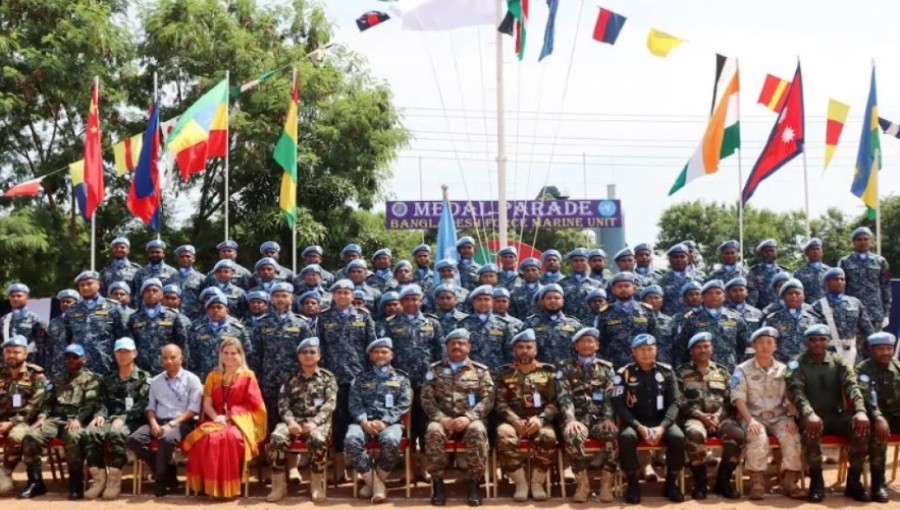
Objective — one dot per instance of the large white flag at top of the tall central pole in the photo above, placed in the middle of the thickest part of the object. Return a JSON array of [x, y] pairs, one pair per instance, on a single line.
[[434, 15]]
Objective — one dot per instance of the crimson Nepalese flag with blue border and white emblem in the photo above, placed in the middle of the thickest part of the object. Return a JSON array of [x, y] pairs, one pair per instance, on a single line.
[[786, 140]]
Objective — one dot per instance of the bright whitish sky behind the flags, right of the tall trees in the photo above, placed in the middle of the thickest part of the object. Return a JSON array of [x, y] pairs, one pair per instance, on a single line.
[[620, 115]]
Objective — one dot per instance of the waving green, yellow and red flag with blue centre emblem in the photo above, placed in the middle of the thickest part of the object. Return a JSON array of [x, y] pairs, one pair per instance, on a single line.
[[201, 132]]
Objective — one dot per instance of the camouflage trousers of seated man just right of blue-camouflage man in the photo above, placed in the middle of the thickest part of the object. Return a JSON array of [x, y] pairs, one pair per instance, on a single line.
[[474, 438]]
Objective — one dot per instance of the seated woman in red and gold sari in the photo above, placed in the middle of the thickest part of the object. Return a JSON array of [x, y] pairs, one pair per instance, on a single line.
[[233, 425]]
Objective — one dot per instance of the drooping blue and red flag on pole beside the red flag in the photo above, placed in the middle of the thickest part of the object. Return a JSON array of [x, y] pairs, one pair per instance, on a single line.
[[144, 196]]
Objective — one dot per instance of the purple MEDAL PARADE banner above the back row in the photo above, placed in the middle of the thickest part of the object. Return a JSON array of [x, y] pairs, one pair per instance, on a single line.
[[552, 214]]
